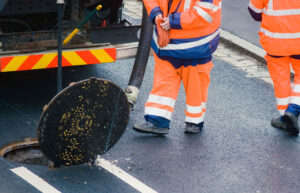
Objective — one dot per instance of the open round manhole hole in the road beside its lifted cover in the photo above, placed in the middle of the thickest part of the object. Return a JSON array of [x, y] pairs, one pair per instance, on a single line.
[[24, 152]]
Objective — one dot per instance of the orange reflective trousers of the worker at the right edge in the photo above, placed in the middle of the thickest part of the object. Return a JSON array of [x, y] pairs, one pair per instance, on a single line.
[[279, 68]]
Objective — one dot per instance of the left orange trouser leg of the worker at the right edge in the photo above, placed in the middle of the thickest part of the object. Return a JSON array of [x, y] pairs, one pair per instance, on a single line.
[[279, 69]]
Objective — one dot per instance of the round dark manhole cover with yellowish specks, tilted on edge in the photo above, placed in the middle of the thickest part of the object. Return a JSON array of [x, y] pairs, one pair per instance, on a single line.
[[82, 121]]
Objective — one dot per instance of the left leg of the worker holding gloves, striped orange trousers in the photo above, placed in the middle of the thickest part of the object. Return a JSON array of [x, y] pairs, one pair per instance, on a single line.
[[161, 101]]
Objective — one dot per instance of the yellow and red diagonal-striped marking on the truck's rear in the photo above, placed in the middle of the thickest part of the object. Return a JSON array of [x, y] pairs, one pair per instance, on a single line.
[[49, 60]]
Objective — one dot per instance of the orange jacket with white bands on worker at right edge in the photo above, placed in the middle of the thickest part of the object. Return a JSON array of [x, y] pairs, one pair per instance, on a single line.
[[280, 26]]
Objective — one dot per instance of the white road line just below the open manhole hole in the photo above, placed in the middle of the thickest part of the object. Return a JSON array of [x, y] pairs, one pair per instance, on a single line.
[[34, 180]]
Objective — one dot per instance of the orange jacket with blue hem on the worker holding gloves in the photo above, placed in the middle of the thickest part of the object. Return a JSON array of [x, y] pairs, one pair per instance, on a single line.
[[194, 27]]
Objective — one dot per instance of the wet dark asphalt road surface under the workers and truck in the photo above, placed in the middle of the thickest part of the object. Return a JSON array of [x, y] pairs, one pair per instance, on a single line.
[[238, 150]]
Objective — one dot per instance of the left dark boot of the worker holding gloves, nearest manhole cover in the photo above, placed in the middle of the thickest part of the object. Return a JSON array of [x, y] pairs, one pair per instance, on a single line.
[[148, 127]]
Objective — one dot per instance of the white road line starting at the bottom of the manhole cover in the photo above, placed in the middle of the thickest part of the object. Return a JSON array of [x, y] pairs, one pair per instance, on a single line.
[[118, 172]]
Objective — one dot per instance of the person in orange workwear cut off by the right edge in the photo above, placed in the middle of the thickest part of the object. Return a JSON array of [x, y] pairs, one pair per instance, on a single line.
[[280, 37]]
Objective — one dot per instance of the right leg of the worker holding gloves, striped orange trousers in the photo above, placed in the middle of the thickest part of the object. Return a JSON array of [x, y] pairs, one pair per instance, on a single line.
[[196, 81]]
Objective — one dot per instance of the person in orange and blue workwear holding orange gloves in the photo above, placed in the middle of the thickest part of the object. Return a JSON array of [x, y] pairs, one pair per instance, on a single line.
[[185, 36]]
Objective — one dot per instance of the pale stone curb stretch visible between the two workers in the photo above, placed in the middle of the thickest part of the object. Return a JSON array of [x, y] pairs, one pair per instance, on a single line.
[[243, 46]]
